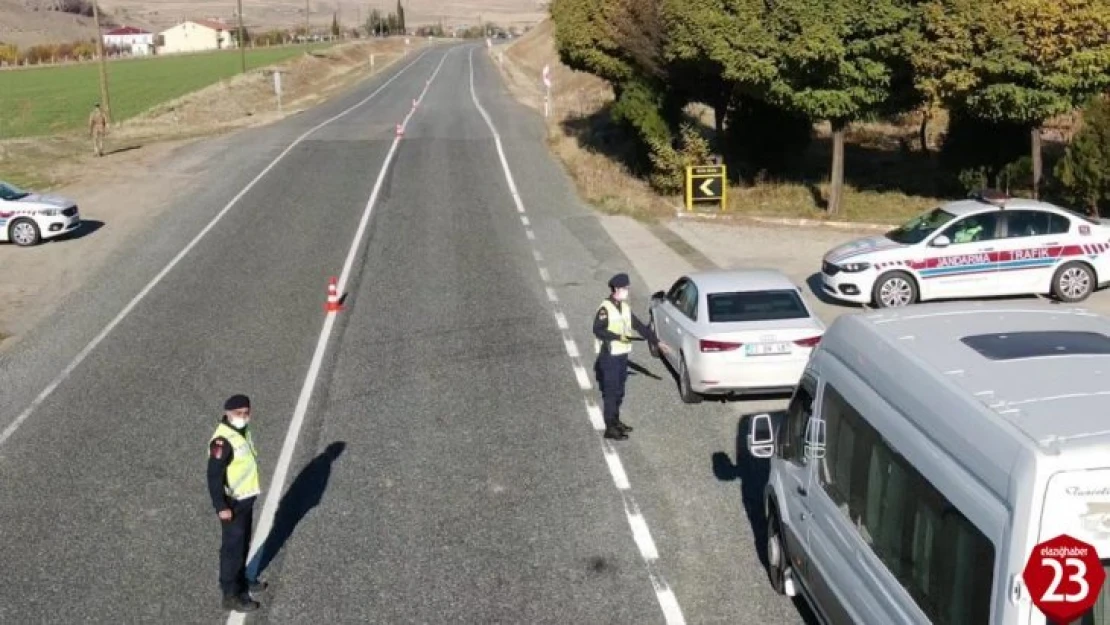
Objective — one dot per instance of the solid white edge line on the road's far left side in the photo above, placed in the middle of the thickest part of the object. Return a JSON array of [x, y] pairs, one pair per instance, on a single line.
[[158, 279]]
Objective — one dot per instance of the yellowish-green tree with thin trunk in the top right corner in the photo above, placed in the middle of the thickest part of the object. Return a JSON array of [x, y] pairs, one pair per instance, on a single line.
[[1016, 62]]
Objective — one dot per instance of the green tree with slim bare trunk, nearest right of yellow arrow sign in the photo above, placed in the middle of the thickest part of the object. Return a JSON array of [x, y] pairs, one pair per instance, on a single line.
[[836, 61]]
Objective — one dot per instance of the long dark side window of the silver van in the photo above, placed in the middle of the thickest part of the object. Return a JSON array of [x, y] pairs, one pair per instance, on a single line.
[[942, 560]]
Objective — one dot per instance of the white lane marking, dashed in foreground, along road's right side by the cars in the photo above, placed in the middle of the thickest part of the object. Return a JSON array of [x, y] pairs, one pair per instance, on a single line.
[[641, 533]]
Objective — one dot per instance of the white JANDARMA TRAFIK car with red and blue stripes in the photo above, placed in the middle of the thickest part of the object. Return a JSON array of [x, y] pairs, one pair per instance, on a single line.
[[986, 246]]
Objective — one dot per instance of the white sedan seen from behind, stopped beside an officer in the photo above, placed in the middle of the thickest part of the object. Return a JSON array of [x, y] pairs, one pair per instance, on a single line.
[[735, 332]]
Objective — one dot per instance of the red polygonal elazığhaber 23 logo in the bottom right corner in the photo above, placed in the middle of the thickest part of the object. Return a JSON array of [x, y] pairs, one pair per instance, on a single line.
[[1065, 578]]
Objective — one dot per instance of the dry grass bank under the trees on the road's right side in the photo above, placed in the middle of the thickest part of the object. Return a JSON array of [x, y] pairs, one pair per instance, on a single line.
[[889, 179]]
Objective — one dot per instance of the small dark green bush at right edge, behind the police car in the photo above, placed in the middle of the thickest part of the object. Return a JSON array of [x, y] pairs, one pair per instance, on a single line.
[[1085, 170]]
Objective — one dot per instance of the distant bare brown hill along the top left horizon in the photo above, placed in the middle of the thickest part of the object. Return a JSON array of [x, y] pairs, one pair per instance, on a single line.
[[27, 23]]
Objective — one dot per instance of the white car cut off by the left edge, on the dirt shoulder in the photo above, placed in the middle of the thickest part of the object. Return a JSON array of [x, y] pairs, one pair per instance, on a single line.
[[28, 219]]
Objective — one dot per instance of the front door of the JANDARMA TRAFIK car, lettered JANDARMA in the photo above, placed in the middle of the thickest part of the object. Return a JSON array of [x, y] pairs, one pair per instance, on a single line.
[[967, 266]]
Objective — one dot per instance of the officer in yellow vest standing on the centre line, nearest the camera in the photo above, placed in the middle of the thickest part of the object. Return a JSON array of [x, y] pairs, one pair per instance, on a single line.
[[235, 485]]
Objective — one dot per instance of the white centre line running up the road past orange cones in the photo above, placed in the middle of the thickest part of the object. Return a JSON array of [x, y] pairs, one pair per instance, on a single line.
[[281, 469]]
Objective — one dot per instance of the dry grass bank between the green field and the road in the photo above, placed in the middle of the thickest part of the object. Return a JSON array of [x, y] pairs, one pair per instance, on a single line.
[[245, 100]]
